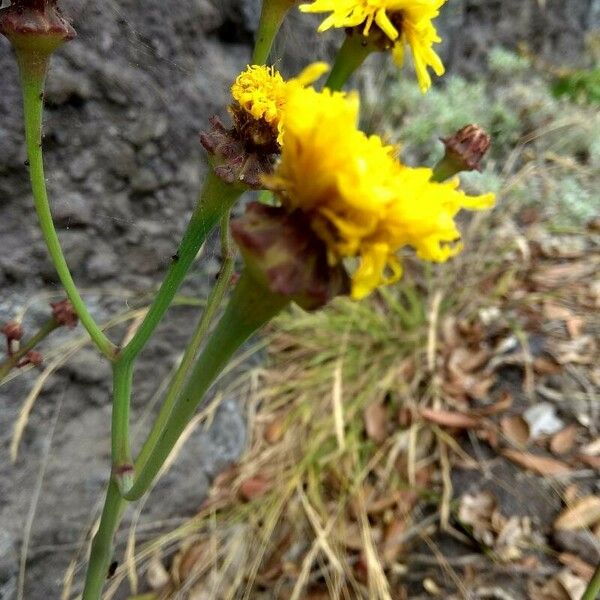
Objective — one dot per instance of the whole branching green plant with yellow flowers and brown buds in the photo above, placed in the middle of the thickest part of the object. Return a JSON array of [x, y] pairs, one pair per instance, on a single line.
[[345, 207]]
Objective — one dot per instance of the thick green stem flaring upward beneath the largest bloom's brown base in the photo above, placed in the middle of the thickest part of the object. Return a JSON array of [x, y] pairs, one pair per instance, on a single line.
[[249, 308]]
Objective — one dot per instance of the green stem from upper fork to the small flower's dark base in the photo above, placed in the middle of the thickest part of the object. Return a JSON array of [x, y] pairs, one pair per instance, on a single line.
[[216, 199]]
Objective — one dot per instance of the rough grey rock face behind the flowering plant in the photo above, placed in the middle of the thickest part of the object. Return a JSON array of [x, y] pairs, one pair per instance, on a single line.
[[125, 103]]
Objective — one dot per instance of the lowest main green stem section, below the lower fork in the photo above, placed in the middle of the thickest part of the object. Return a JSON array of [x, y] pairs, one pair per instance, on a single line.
[[103, 544]]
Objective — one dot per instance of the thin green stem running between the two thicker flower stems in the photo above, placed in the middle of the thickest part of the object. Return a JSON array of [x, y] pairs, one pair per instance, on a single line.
[[214, 301]]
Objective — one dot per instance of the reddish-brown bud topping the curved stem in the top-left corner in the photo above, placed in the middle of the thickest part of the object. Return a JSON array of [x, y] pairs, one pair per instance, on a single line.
[[35, 26]]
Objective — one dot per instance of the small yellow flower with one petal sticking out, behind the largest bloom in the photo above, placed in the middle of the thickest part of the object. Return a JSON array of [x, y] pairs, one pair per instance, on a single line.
[[262, 92]]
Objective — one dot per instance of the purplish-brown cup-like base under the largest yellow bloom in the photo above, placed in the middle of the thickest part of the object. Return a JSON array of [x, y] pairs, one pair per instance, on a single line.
[[282, 253]]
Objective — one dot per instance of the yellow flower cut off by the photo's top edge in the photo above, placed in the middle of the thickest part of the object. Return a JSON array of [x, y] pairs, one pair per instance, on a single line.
[[403, 22]]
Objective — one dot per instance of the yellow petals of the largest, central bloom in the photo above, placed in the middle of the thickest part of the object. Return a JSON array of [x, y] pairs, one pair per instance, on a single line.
[[360, 200]]
